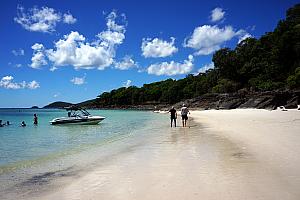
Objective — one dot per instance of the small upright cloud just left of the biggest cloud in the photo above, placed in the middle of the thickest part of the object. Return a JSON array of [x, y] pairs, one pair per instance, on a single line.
[[38, 59]]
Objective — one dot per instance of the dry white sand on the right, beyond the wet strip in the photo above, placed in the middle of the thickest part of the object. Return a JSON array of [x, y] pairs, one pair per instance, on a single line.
[[269, 143]]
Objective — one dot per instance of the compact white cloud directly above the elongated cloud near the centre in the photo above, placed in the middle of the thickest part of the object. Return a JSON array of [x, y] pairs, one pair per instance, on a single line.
[[158, 48]]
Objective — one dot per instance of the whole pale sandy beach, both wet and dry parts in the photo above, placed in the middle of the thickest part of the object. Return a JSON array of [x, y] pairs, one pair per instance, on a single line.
[[232, 154]]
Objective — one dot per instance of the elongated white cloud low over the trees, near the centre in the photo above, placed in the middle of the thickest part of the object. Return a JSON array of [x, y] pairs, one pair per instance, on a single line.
[[172, 68]]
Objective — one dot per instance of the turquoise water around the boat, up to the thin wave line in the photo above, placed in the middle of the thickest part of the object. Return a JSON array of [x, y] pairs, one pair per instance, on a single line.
[[24, 147]]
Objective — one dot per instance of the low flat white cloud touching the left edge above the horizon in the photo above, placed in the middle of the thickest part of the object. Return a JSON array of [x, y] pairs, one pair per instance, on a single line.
[[7, 82]]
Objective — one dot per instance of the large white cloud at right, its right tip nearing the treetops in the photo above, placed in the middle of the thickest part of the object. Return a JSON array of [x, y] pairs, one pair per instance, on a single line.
[[206, 39]]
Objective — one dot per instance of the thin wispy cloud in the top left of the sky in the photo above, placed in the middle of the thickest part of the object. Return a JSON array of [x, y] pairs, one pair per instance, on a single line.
[[41, 19]]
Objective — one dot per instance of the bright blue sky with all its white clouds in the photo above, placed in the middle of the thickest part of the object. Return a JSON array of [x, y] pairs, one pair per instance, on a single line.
[[75, 50]]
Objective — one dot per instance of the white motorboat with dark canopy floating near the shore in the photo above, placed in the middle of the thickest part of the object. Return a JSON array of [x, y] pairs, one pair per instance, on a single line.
[[77, 115]]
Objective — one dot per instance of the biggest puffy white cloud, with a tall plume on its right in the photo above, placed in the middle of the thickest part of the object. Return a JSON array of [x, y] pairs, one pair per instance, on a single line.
[[74, 50]]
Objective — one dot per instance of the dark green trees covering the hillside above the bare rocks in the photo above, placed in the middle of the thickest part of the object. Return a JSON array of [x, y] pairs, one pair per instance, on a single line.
[[269, 63]]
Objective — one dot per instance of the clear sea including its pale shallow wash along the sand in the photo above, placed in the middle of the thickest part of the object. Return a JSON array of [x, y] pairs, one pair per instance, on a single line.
[[30, 151]]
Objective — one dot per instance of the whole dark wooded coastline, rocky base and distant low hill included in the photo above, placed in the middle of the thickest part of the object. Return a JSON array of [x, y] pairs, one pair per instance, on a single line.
[[258, 73]]
